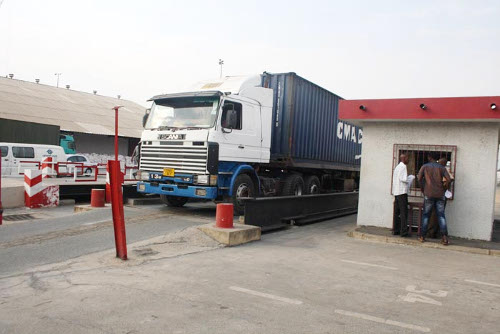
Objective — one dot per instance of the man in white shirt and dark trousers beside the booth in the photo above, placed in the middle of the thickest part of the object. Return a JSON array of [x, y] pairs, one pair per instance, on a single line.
[[400, 192]]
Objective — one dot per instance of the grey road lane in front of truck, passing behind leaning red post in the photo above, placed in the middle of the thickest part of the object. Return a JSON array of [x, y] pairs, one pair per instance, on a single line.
[[65, 235]]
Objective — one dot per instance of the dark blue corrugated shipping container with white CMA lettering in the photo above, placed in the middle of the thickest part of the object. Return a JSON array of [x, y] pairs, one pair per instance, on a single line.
[[306, 130]]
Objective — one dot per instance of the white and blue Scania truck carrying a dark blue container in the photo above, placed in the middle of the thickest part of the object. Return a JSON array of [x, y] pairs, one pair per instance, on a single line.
[[273, 134]]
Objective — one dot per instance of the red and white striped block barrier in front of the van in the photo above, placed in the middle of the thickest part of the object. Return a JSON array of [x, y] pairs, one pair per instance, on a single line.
[[37, 194]]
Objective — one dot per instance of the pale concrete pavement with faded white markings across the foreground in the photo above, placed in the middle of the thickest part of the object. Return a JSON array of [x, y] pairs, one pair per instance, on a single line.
[[310, 279]]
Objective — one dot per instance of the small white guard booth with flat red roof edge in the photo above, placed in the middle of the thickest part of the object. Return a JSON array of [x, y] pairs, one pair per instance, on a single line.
[[463, 130]]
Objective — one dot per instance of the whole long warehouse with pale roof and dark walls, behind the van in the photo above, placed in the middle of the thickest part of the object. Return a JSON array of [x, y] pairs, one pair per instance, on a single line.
[[36, 113]]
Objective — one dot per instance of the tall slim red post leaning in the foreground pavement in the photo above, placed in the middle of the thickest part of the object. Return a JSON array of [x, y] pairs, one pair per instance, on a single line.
[[115, 176]]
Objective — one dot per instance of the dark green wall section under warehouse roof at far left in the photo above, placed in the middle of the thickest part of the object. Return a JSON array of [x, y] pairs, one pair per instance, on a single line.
[[12, 131]]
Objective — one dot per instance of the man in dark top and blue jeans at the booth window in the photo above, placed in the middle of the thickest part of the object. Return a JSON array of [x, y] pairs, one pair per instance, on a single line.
[[430, 178]]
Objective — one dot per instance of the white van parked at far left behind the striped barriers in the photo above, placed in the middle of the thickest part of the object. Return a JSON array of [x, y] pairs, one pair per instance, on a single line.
[[17, 157]]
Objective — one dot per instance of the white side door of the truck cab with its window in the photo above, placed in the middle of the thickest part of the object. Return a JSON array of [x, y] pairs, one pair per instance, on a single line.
[[241, 137]]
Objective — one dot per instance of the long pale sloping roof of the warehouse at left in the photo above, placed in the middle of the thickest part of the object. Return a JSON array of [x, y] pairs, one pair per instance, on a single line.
[[71, 110]]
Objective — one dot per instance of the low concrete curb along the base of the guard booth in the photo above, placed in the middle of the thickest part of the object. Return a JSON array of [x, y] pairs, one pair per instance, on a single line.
[[400, 241]]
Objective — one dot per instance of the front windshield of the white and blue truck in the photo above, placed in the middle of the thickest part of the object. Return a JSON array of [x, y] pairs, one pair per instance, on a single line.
[[185, 112]]
